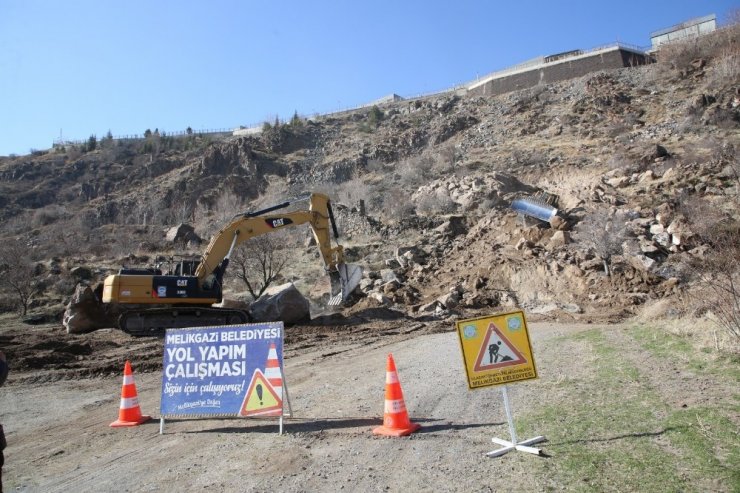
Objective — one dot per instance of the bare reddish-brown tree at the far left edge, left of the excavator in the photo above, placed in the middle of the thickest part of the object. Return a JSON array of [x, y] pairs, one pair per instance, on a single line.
[[17, 272]]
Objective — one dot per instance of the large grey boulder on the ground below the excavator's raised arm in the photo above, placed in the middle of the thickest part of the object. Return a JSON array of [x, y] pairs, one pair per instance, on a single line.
[[283, 303]]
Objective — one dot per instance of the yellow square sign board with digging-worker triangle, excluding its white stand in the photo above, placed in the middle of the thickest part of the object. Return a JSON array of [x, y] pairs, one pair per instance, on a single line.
[[496, 349]]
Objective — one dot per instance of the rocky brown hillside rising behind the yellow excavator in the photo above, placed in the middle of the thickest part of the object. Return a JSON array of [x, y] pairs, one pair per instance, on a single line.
[[641, 163]]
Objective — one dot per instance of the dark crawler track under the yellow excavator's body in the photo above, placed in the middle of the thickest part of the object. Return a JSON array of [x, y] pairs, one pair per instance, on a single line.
[[153, 322]]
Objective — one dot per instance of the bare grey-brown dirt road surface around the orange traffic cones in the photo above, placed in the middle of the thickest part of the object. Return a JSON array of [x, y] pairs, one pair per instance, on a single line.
[[60, 440]]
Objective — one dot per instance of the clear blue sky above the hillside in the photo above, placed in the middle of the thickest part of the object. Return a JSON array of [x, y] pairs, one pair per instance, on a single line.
[[84, 67]]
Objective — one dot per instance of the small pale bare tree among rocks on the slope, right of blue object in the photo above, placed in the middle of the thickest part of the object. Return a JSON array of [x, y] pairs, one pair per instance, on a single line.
[[603, 232]]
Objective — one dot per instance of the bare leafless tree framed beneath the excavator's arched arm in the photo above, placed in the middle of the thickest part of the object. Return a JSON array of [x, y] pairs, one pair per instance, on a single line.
[[259, 262]]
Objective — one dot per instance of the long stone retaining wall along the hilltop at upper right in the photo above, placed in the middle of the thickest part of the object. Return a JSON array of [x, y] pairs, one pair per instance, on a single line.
[[576, 66]]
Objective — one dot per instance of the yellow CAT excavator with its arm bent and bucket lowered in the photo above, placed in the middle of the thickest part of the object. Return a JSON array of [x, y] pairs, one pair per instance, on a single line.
[[151, 301]]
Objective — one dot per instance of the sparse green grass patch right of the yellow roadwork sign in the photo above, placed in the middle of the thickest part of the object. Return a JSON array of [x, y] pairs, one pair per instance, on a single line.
[[609, 430]]
